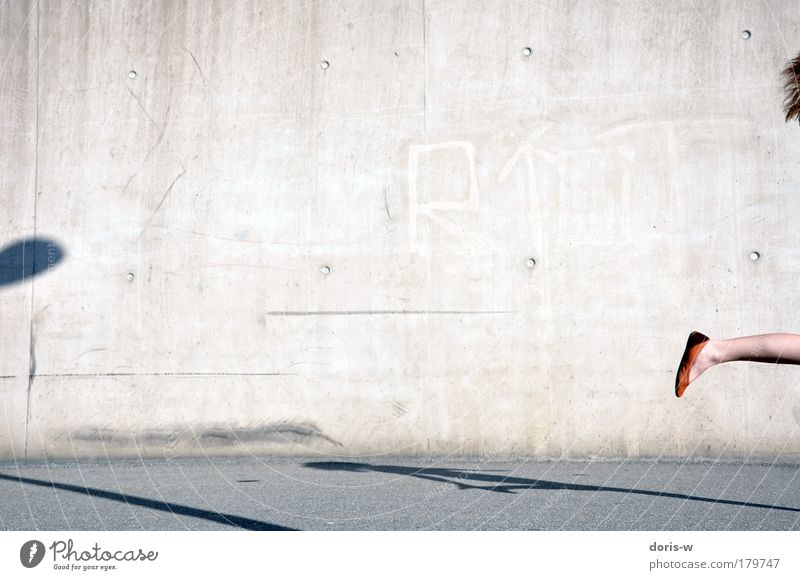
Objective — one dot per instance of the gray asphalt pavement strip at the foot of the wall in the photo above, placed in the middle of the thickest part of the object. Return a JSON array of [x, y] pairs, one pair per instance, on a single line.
[[398, 493]]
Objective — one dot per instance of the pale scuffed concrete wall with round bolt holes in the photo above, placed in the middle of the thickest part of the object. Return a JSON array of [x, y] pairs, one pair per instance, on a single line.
[[199, 168]]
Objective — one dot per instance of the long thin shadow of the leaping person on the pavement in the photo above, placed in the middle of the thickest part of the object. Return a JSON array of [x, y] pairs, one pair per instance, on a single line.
[[505, 484]]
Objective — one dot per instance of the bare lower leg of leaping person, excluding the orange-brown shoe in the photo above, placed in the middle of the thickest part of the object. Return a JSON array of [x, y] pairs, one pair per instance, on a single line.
[[776, 348]]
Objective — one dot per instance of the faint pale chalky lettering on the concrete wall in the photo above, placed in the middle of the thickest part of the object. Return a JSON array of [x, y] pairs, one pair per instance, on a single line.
[[604, 182]]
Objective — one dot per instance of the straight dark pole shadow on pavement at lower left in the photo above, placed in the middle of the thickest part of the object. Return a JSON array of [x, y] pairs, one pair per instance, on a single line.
[[177, 509]]
